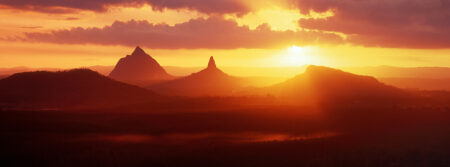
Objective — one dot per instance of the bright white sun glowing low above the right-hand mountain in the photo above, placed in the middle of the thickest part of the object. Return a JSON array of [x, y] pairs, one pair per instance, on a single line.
[[297, 56]]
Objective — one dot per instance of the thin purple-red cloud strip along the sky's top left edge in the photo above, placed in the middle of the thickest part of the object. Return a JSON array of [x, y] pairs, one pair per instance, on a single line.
[[64, 6]]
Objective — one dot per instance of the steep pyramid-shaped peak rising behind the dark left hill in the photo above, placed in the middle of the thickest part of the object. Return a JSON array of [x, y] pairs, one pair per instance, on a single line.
[[139, 67]]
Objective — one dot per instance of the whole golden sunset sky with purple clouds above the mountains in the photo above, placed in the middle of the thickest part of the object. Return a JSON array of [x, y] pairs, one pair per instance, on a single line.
[[69, 34]]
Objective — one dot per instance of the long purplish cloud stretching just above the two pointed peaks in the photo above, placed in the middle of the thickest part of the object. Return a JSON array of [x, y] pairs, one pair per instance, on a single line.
[[211, 33]]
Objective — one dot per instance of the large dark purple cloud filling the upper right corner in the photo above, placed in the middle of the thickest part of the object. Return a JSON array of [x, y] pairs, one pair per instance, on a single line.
[[384, 23]]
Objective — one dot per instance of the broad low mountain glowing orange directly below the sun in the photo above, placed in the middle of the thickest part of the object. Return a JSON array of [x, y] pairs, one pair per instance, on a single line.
[[327, 85]]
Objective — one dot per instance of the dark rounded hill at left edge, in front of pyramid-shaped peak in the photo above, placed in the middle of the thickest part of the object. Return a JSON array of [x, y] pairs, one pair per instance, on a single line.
[[66, 89]]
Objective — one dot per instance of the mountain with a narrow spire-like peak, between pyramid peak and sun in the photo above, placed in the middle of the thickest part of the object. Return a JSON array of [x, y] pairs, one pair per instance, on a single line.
[[210, 81]]
